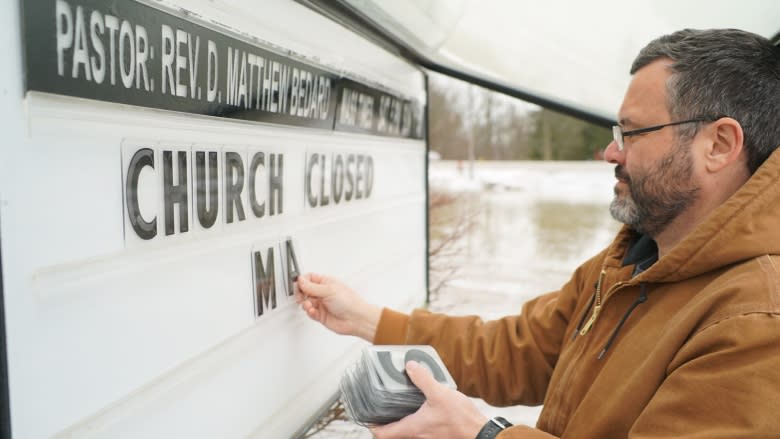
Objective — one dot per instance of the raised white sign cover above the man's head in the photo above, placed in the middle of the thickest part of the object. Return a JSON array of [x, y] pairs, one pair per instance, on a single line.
[[560, 53]]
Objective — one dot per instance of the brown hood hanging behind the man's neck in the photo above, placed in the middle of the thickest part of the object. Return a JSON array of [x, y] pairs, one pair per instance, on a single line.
[[742, 228]]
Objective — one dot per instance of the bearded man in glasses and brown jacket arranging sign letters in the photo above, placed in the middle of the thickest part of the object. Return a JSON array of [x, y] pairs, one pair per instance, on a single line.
[[673, 331]]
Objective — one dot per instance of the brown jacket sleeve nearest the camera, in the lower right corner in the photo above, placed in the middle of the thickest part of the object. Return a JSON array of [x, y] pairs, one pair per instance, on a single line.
[[724, 383]]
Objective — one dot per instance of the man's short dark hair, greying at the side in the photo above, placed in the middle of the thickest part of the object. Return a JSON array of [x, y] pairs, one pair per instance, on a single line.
[[723, 72]]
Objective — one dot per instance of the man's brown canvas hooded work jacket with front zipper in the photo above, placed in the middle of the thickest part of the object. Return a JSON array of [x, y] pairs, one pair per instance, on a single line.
[[698, 355]]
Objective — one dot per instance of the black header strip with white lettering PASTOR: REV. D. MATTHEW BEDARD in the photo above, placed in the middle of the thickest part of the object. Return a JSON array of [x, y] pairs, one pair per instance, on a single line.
[[127, 52]]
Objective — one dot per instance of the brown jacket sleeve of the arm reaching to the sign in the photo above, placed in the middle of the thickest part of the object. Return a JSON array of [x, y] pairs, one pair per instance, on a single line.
[[505, 362]]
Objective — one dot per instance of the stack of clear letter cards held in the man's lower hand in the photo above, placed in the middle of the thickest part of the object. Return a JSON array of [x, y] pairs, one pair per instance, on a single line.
[[376, 389]]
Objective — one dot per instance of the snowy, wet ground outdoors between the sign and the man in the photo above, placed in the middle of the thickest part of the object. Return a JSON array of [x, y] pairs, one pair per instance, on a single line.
[[533, 223]]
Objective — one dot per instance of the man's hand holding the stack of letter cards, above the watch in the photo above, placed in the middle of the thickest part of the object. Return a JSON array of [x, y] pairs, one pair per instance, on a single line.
[[446, 413]]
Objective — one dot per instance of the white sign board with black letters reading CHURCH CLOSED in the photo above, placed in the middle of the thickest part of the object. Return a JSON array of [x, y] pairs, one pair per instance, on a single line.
[[165, 174]]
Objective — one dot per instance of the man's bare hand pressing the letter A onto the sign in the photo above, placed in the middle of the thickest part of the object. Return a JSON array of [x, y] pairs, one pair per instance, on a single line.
[[336, 306]]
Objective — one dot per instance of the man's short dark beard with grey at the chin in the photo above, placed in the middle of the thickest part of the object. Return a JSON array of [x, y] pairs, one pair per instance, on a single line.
[[658, 195]]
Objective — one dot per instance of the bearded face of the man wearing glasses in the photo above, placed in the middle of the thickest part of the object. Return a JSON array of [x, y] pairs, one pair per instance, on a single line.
[[654, 171]]
